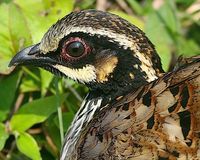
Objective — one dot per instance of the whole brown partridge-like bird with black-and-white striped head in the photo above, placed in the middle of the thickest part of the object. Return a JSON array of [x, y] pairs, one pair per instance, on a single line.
[[133, 111]]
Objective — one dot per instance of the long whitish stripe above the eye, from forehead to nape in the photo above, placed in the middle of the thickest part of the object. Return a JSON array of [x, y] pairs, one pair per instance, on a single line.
[[50, 43]]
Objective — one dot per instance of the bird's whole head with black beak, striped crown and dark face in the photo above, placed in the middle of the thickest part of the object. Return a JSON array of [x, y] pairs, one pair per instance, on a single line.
[[98, 49]]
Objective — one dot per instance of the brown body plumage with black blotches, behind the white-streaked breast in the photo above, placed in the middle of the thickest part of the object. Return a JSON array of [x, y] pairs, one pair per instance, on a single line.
[[120, 131]]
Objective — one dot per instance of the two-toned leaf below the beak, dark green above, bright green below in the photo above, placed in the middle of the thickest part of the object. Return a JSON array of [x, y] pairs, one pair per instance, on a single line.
[[34, 112]]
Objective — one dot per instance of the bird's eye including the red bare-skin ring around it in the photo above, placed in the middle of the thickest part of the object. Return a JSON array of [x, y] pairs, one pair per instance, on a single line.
[[74, 48]]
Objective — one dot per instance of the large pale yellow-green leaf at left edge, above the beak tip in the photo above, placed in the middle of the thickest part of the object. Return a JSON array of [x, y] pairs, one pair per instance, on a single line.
[[13, 33]]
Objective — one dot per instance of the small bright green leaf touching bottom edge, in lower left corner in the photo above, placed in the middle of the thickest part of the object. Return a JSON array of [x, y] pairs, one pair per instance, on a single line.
[[28, 146]]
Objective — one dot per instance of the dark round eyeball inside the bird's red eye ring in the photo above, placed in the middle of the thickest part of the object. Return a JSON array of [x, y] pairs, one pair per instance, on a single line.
[[75, 49]]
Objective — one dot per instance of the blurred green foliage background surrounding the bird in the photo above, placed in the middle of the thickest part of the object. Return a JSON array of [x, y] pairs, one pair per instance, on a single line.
[[34, 103]]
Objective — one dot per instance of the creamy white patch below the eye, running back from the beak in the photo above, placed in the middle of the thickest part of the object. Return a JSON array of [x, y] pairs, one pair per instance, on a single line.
[[84, 75]]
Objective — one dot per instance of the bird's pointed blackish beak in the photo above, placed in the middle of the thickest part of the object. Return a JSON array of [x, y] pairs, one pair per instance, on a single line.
[[31, 56]]
